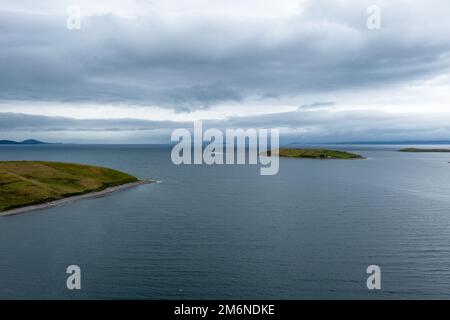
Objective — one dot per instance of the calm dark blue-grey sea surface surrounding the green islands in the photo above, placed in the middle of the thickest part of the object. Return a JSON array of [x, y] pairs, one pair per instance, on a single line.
[[227, 232]]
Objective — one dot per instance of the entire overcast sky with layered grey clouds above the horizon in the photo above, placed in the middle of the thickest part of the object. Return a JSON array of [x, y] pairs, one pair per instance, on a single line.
[[136, 70]]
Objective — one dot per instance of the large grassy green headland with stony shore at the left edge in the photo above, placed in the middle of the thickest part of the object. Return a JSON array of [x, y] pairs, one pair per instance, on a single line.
[[32, 185]]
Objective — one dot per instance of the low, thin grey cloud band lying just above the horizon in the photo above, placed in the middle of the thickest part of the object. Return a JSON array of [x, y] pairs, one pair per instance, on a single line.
[[297, 126]]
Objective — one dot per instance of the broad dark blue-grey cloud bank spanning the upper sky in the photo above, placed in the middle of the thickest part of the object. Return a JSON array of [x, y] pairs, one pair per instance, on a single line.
[[197, 63]]
